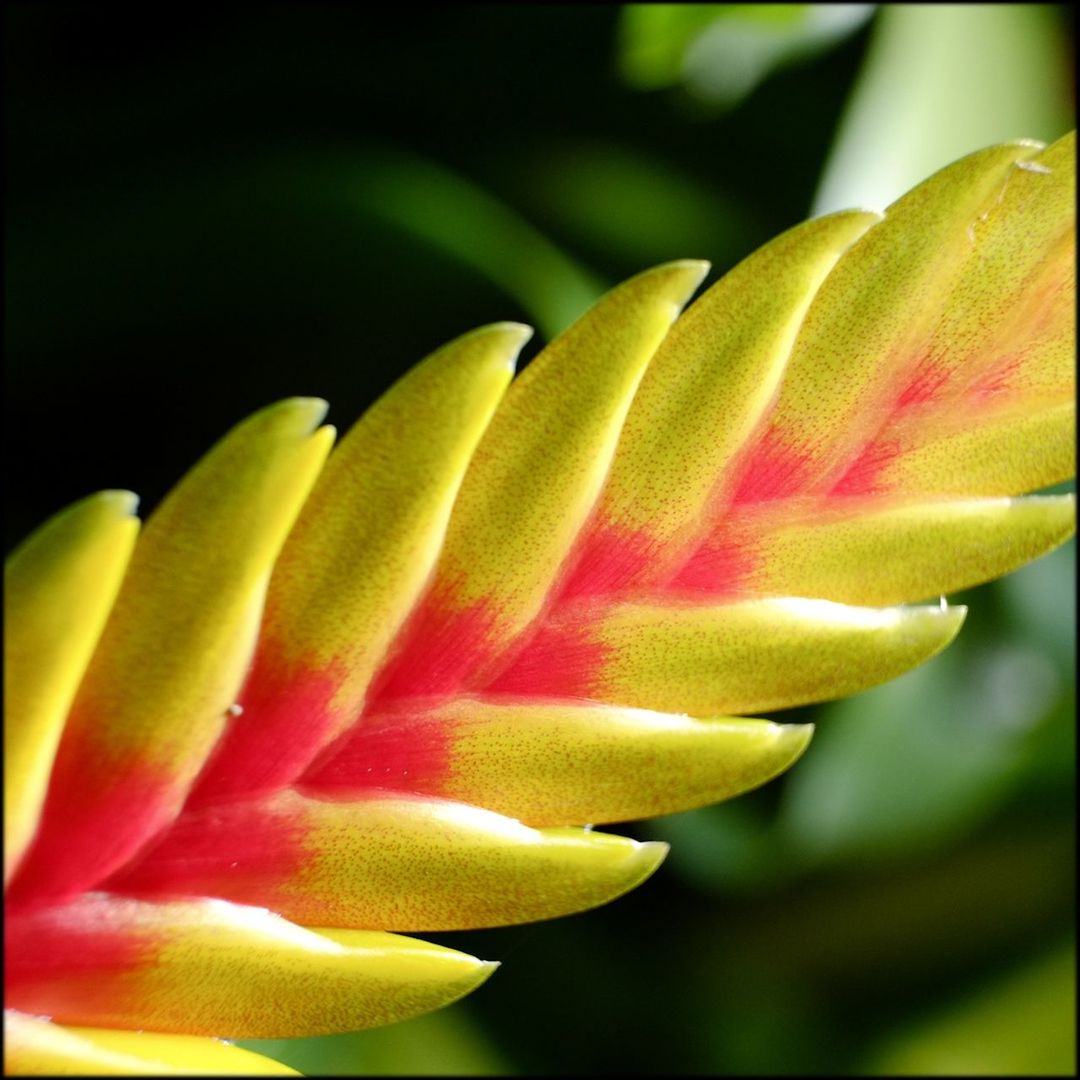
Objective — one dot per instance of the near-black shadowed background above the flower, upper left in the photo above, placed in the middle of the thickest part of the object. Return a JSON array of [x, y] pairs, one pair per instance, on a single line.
[[184, 246]]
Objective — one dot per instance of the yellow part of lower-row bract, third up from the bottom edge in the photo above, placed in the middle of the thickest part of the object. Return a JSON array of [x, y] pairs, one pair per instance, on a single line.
[[411, 863]]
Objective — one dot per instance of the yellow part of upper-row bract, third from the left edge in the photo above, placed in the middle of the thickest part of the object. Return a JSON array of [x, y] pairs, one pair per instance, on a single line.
[[372, 530]]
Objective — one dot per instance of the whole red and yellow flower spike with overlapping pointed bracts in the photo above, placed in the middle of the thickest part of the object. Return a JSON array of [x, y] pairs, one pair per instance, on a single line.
[[326, 698]]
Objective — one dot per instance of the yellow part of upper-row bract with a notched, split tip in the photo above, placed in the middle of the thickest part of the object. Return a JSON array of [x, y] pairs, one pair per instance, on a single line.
[[180, 639]]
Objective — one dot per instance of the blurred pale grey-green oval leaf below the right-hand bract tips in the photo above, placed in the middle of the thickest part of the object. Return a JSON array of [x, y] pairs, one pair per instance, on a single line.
[[915, 764]]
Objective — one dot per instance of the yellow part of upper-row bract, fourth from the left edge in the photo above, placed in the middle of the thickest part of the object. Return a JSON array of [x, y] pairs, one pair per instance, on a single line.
[[542, 464]]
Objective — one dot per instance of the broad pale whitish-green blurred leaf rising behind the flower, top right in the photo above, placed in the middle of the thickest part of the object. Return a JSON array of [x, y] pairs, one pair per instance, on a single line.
[[940, 82]]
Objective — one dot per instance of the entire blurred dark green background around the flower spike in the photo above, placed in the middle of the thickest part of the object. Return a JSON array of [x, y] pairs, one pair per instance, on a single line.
[[213, 208]]
